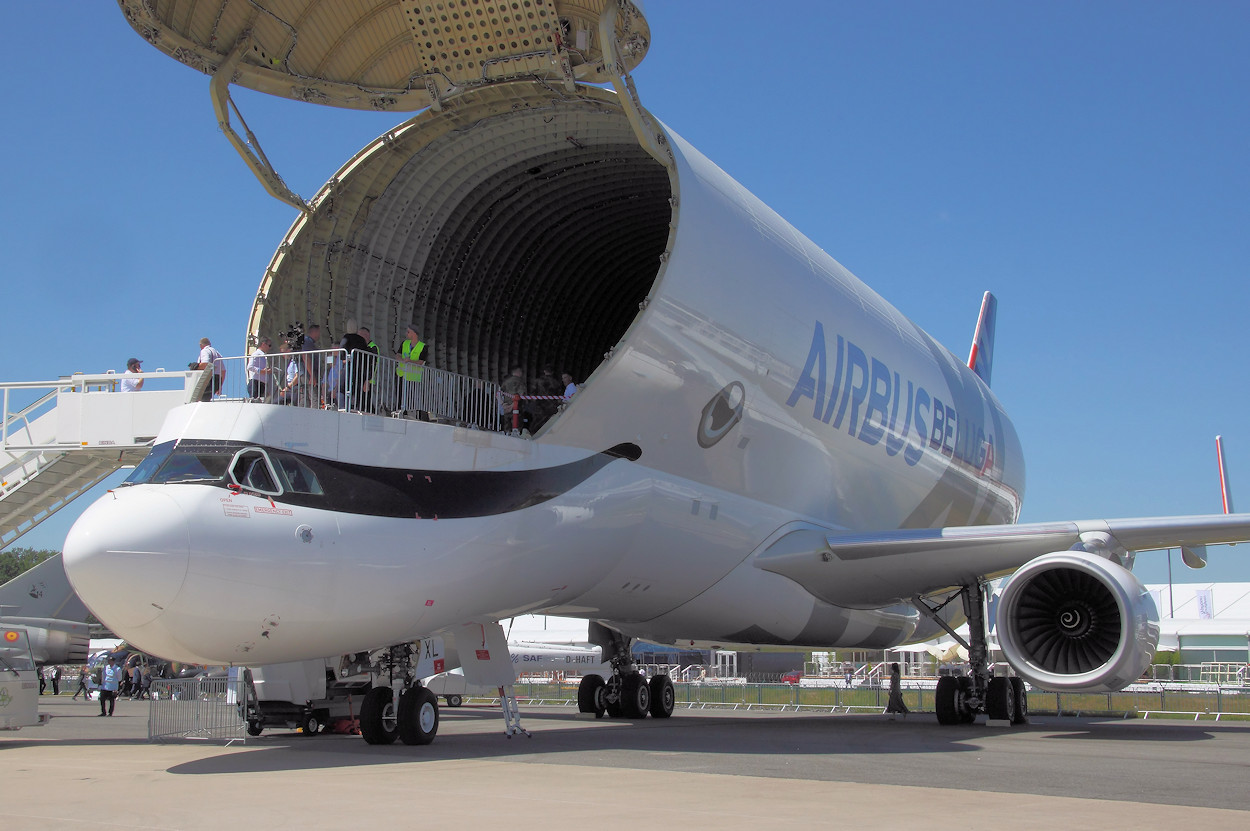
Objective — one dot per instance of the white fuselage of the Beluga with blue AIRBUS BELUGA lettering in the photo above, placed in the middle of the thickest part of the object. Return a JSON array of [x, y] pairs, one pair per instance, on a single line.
[[764, 389]]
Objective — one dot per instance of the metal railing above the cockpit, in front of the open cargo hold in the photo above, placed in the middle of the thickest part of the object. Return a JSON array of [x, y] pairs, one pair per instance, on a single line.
[[331, 379]]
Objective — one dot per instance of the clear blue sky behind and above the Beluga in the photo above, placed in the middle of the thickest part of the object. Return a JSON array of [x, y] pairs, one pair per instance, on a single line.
[[1087, 162]]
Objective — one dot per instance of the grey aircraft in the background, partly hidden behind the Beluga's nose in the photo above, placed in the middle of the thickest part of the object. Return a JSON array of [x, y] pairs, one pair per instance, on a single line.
[[42, 602]]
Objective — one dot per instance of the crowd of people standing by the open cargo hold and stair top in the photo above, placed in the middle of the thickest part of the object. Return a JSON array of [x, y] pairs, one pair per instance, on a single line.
[[297, 374]]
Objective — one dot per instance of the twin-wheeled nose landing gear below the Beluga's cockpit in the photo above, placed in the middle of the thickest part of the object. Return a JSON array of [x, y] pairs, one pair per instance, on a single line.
[[403, 710]]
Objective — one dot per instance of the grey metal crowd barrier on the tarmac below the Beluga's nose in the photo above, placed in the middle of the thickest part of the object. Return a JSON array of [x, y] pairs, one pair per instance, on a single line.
[[202, 708]]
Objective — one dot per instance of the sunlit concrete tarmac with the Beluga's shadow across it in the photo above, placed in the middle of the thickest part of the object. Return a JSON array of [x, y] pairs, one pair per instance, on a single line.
[[702, 769]]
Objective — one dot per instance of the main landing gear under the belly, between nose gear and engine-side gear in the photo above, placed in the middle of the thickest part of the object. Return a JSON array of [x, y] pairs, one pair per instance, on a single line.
[[628, 694]]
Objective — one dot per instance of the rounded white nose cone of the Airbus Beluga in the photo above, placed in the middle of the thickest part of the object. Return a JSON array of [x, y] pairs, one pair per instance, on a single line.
[[128, 555]]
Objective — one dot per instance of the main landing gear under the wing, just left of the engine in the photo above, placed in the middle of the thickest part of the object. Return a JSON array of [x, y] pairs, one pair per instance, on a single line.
[[959, 699]]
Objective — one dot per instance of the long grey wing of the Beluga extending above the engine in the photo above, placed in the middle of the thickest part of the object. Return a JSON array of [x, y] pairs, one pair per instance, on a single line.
[[872, 570]]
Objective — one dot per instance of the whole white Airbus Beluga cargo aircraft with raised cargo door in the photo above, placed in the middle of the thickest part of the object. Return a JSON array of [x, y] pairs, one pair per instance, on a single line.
[[764, 450]]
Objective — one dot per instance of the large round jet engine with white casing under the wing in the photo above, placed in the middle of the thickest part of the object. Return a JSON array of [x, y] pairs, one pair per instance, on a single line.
[[1076, 623]]
